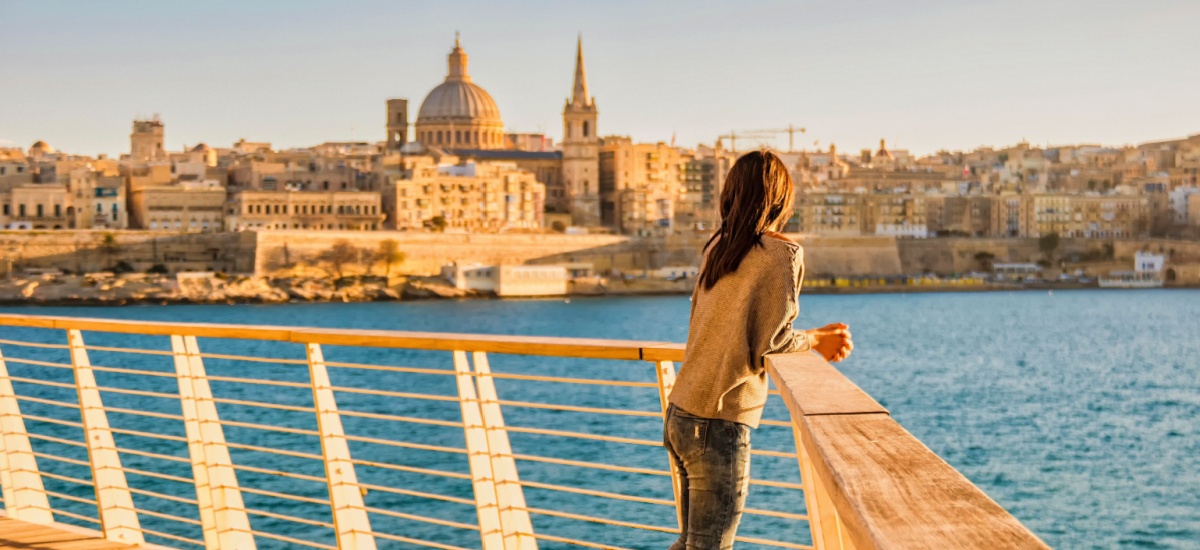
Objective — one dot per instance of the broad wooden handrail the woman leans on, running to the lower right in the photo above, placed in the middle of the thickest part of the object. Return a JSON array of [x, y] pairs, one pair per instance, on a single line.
[[886, 489]]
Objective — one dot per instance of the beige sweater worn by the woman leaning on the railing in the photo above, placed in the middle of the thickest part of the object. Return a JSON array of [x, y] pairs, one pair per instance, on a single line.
[[746, 316]]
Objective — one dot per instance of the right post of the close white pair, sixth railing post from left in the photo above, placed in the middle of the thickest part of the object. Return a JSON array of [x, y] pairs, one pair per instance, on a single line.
[[509, 495]]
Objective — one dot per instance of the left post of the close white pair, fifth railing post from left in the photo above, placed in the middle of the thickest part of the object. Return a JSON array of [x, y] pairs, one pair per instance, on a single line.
[[478, 457]]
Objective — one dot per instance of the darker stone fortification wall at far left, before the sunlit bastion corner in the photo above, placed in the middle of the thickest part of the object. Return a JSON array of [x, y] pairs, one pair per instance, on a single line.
[[83, 252]]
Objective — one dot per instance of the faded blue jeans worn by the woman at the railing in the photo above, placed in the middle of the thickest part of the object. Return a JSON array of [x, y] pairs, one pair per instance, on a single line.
[[713, 461]]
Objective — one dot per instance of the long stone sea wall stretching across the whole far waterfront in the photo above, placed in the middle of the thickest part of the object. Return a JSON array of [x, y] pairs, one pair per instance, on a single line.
[[301, 254]]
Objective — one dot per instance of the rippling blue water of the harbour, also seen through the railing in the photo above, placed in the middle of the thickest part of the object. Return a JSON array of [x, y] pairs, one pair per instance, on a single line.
[[1078, 411]]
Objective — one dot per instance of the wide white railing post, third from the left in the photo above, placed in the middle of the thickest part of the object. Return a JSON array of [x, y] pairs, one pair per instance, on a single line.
[[223, 511]]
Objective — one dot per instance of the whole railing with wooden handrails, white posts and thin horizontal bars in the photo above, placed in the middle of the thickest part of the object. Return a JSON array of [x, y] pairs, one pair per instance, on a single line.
[[857, 480]]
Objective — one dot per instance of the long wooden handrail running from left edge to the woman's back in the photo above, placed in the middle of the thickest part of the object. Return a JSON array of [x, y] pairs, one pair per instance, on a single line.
[[556, 346]]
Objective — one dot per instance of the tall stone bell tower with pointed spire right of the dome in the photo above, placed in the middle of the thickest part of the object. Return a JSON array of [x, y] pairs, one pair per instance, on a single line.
[[581, 150]]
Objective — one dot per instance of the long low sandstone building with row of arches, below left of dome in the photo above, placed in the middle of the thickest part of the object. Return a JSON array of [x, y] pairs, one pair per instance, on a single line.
[[321, 211]]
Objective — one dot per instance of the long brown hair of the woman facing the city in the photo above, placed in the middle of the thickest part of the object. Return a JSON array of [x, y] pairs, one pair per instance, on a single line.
[[758, 198]]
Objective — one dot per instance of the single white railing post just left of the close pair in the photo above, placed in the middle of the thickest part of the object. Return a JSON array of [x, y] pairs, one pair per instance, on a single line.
[[351, 518]]
